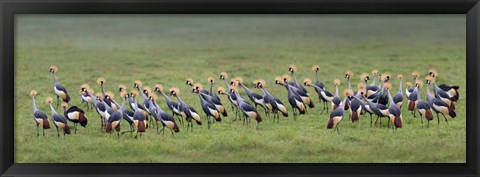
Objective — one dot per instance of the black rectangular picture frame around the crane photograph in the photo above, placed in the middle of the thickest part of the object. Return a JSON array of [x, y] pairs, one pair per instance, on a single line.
[[9, 8]]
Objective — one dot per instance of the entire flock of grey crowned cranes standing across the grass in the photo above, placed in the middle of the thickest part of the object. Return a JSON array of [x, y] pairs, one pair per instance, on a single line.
[[372, 99]]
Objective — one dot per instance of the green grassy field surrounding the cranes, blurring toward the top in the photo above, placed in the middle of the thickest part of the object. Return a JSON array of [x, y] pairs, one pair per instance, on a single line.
[[167, 49]]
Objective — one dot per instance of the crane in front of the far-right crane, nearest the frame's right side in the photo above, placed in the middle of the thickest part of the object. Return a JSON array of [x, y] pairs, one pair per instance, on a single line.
[[437, 104]]
